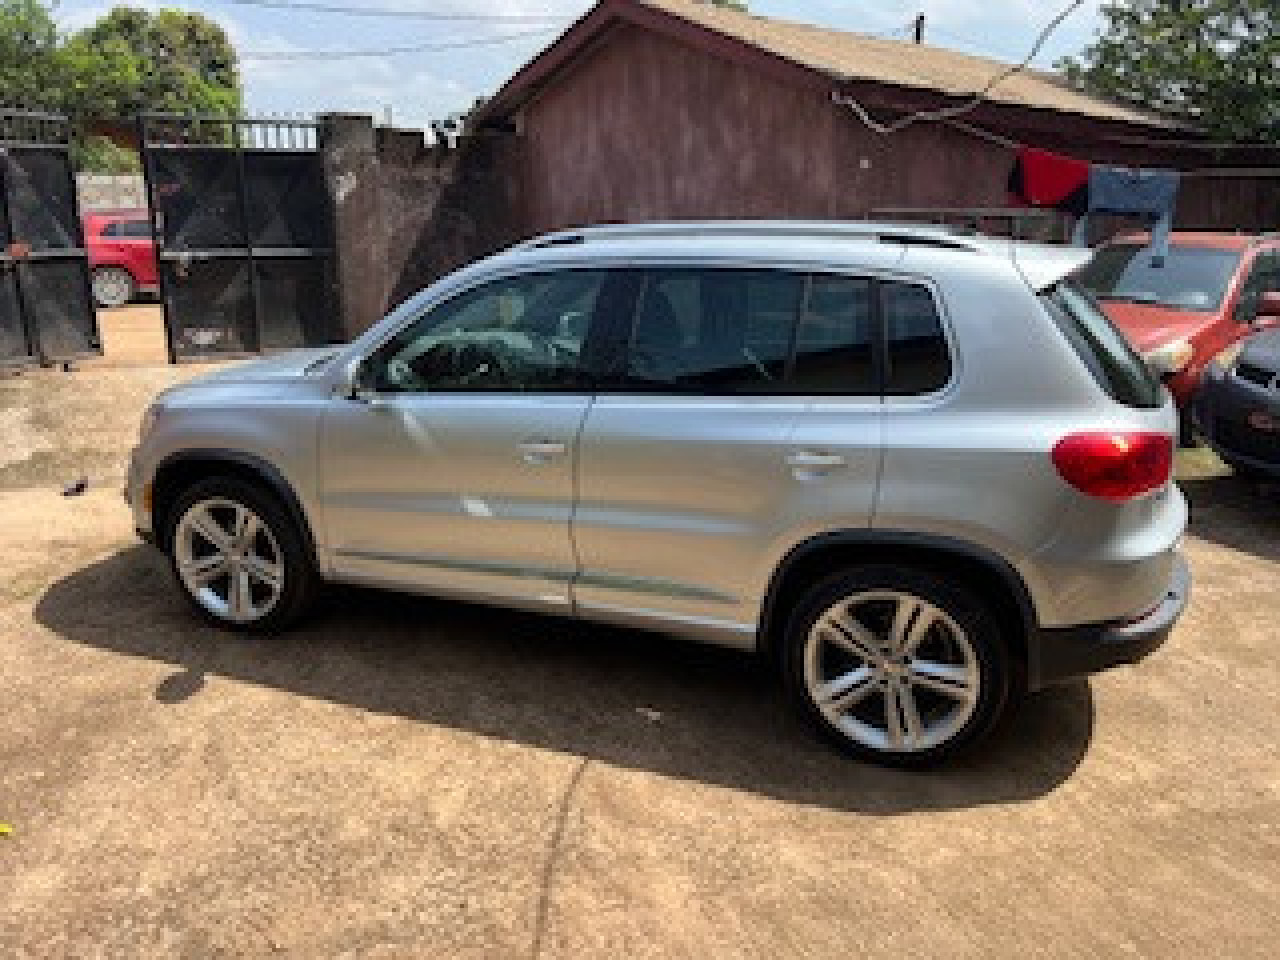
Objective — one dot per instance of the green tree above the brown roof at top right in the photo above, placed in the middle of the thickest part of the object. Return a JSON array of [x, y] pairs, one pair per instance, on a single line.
[[1215, 63]]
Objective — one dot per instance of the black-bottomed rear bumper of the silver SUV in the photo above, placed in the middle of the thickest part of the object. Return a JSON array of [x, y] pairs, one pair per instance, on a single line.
[[1060, 655]]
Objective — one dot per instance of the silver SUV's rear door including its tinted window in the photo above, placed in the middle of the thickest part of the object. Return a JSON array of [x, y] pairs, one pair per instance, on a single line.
[[744, 415]]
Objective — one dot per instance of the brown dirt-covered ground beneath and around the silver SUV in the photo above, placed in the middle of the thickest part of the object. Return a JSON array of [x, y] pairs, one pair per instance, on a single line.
[[418, 779]]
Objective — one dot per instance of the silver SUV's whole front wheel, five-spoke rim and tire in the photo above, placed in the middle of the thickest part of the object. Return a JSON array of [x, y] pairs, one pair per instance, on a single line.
[[240, 557]]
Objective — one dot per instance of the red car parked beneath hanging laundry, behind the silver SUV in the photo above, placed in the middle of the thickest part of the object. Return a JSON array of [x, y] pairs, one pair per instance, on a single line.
[[1214, 290]]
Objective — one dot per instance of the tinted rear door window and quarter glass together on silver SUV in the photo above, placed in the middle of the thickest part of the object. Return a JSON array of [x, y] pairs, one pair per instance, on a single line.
[[762, 332]]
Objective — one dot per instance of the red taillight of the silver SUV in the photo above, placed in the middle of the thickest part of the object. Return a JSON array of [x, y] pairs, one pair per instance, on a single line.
[[1116, 465]]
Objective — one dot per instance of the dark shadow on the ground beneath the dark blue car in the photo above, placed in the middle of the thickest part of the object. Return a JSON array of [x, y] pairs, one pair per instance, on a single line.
[[1235, 513]]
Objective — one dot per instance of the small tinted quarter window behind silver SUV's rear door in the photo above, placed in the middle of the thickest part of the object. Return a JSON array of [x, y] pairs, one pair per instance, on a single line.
[[918, 360]]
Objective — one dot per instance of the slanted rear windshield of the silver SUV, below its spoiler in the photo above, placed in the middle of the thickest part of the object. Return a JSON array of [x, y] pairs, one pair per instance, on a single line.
[[1114, 364]]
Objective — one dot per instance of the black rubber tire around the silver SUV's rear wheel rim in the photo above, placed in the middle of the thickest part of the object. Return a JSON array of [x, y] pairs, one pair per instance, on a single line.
[[967, 611]]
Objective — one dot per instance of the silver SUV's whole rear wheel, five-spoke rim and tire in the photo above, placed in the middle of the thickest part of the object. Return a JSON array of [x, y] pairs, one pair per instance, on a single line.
[[897, 666]]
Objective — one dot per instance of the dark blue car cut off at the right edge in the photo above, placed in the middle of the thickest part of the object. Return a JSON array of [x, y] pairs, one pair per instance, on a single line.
[[1238, 406]]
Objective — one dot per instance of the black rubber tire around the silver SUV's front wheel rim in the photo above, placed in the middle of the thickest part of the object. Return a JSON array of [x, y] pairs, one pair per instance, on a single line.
[[301, 582]]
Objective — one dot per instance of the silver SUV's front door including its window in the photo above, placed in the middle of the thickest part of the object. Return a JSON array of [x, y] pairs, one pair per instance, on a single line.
[[452, 469]]
